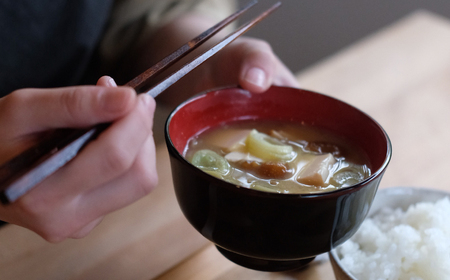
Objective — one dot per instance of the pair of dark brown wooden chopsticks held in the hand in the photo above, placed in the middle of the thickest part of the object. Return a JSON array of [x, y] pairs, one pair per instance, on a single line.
[[29, 168]]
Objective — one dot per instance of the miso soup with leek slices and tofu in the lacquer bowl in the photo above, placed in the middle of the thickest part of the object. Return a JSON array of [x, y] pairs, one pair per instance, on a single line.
[[278, 157]]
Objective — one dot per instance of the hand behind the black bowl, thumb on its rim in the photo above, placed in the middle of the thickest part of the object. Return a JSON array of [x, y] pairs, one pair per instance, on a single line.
[[247, 62]]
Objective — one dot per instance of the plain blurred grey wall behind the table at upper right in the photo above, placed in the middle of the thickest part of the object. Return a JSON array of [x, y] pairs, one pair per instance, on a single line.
[[303, 32]]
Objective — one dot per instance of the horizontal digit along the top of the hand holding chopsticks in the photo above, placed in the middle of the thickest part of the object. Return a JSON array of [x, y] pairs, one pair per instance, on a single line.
[[35, 110]]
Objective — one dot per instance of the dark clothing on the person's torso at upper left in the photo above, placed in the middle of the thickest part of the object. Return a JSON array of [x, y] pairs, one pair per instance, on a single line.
[[48, 43]]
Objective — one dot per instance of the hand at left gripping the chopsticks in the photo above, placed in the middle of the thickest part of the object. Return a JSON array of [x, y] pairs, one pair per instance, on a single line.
[[111, 172]]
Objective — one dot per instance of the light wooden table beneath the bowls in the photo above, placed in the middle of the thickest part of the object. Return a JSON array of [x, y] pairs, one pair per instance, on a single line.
[[399, 75]]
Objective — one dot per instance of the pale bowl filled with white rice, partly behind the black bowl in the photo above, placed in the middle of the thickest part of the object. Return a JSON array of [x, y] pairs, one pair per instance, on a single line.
[[406, 236]]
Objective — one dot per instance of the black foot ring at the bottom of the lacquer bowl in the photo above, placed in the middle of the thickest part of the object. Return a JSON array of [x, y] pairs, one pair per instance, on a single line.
[[262, 264]]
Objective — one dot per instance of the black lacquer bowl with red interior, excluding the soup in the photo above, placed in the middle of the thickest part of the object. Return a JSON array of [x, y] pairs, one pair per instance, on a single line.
[[272, 231]]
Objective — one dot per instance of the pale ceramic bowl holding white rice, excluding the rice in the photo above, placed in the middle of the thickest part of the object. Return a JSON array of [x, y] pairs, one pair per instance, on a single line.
[[397, 197]]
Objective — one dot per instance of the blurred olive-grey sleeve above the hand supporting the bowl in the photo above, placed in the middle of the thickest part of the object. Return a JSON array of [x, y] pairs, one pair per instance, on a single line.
[[132, 21]]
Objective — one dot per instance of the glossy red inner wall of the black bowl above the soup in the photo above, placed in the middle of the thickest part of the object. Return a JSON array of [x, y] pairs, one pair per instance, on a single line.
[[279, 103]]
